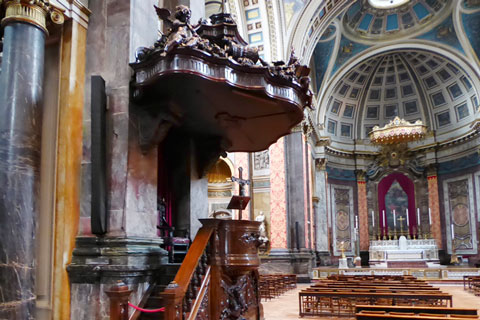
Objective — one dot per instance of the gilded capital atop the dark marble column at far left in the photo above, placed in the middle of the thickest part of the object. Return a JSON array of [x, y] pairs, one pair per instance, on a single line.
[[35, 12]]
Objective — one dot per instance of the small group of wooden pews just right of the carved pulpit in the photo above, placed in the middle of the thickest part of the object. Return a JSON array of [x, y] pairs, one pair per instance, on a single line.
[[274, 285]]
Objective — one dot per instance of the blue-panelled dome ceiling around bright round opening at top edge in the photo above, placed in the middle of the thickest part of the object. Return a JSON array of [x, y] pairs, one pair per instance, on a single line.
[[404, 18]]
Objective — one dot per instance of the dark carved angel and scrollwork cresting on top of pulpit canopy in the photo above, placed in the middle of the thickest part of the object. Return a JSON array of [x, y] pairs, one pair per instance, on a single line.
[[221, 41]]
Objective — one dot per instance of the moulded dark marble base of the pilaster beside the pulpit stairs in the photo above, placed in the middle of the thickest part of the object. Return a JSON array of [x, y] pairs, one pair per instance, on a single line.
[[97, 263]]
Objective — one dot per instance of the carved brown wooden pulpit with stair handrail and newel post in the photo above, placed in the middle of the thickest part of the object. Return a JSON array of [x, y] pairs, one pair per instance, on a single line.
[[218, 278]]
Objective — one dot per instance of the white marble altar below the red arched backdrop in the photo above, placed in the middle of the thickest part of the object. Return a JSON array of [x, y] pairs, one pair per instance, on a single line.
[[403, 249]]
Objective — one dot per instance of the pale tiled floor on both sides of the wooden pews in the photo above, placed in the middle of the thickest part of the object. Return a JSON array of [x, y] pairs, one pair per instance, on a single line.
[[286, 306]]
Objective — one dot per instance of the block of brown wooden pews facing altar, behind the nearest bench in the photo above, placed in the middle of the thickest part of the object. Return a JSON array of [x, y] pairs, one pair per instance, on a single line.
[[339, 294]]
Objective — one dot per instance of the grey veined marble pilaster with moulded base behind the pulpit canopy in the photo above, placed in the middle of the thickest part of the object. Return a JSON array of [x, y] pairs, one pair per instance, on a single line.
[[130, 251]]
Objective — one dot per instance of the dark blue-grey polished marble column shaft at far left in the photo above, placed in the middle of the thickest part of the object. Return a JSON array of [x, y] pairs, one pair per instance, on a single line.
[[21, 83]]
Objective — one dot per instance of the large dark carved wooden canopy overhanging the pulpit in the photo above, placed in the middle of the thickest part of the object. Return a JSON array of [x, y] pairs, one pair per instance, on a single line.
[[205, 80]]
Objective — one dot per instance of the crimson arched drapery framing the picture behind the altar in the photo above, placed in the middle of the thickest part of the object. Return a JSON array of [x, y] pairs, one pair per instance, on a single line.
[[407, 185]]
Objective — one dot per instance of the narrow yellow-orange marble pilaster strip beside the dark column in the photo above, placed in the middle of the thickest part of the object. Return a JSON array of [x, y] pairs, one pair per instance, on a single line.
[[69, 146]]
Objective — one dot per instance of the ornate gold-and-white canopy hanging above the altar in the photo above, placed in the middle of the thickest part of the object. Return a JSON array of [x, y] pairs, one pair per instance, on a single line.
[[398, 131]]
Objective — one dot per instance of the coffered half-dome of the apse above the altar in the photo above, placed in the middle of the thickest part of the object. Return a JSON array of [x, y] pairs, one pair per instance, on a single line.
[[412, 85]]
